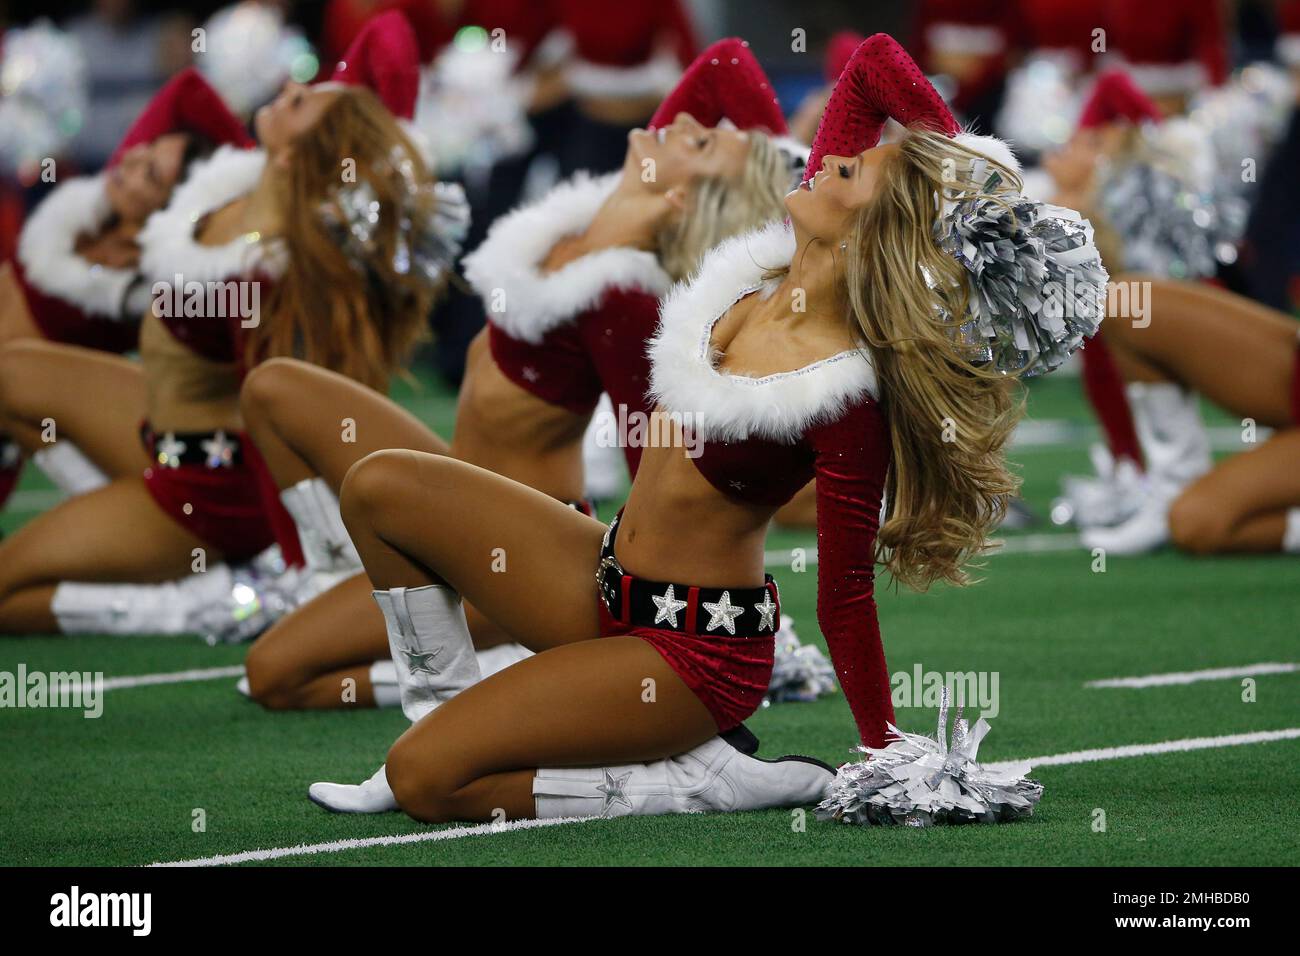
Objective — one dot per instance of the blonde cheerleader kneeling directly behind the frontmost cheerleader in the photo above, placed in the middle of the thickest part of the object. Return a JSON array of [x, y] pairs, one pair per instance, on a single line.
[[571, 285]]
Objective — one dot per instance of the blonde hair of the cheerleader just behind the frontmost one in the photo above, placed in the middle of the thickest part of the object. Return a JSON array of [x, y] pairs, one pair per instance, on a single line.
[[723, 207]]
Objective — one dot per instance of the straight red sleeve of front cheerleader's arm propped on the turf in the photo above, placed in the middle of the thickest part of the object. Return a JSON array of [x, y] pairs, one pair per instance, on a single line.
[[851, 458]]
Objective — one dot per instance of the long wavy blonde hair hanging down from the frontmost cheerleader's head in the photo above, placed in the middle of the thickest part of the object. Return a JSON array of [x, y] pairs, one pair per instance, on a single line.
[[950, 419]]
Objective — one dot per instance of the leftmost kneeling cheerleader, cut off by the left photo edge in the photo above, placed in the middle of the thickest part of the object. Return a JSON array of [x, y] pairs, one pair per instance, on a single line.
[[76, 280]]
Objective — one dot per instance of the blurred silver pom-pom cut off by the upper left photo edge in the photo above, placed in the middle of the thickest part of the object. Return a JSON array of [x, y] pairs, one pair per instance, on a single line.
[[44, 96]]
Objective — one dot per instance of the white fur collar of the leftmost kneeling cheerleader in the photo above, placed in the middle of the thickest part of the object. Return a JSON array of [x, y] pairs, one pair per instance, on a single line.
[[47, 250]]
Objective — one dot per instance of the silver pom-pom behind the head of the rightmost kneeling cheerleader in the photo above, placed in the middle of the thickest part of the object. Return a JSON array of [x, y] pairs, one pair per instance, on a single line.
[[1168, 227]]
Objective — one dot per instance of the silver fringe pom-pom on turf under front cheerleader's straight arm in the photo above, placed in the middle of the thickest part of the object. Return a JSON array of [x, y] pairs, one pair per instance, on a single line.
[[920, 781]]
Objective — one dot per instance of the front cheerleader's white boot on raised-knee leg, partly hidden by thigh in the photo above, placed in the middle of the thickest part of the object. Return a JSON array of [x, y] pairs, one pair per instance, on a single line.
[[434, 659]]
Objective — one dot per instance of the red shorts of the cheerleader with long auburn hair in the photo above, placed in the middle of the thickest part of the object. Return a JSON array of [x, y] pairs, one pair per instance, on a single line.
[[226, 507]]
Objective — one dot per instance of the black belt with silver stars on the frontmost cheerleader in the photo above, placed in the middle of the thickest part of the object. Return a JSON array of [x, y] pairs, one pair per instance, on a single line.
[[684, 608]]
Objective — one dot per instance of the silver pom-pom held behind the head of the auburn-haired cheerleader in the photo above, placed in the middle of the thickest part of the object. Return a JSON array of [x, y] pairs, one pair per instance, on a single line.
[[434, 220]]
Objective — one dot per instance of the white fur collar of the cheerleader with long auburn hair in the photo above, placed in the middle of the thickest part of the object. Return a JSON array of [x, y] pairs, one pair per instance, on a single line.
[[168, 244]]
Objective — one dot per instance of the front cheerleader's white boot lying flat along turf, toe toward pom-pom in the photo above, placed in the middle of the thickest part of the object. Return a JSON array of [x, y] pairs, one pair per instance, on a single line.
[[712, 777]]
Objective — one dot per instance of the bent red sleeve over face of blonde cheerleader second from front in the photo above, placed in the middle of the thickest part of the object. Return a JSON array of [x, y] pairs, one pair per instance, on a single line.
[[725, 81]]
